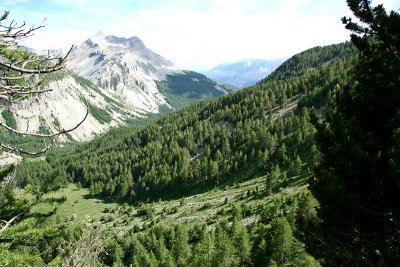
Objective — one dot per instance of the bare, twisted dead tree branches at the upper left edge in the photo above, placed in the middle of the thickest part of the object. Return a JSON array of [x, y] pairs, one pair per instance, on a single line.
[[19, 73]]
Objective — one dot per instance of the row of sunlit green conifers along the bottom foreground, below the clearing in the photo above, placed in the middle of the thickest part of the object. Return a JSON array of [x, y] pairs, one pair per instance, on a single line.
[[226, 244]]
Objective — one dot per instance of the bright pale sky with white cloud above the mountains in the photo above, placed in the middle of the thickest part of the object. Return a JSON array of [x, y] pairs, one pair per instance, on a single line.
[[194, 34]]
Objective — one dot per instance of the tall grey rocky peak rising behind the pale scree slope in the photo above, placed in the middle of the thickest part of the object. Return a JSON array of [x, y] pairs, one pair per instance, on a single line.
[[127, 68]]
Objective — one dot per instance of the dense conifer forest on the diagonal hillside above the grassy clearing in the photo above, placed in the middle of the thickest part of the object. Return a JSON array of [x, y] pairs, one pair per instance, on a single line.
[[257, 131]]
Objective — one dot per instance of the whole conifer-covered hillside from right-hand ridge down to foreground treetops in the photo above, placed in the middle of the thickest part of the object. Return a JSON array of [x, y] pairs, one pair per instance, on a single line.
[[262, 135]]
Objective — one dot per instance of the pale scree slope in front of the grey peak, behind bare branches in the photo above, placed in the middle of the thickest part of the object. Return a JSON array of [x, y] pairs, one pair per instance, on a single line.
[[63, 108]]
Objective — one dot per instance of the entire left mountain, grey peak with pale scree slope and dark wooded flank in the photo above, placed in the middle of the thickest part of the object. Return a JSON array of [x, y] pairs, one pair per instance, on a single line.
[[121, 80]]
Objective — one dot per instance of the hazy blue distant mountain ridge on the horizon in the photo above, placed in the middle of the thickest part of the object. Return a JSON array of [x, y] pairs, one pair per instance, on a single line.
[[245, 72]]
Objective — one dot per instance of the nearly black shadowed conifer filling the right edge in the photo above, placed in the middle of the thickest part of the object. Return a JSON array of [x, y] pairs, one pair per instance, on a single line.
[[358, 179]]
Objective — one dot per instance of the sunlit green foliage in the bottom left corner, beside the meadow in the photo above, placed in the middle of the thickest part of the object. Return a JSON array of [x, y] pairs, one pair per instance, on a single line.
[[28, 239]]
